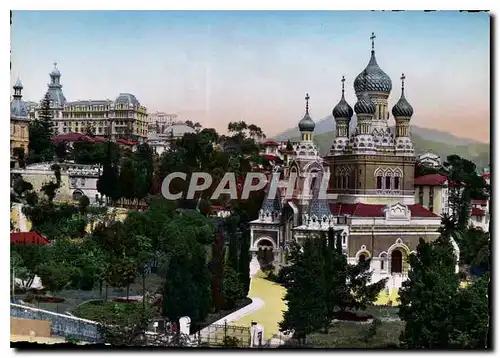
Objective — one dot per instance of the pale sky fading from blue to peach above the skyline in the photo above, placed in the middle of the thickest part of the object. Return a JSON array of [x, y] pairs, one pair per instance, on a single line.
[[221, 66]]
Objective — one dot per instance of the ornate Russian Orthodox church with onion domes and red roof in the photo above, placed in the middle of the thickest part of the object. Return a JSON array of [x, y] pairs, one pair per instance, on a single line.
[[371, 180]]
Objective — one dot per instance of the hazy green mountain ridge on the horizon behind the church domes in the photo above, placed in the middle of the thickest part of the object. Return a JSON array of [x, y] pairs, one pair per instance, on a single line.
[[424, 140]]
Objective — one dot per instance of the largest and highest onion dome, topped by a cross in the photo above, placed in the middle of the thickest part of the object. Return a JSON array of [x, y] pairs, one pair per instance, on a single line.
[[376, 79]]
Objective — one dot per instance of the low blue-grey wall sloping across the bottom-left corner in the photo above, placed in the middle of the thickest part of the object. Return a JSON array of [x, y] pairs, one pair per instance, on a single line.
[[61, 325]]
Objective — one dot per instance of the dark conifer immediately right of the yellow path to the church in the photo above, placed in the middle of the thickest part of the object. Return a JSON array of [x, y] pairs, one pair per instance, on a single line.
[[306, 295]]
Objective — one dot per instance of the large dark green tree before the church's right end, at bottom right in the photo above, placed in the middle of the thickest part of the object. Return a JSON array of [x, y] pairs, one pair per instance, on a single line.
[[427, 296]]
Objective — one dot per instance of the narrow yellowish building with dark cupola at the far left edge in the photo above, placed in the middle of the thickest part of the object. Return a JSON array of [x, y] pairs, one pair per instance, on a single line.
[[19, 120]]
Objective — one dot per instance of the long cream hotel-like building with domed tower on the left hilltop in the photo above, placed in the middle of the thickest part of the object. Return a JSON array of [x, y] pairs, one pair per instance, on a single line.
[[123, 117]]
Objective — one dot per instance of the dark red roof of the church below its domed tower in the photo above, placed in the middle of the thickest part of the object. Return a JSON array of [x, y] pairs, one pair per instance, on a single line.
[[376, 210]]
